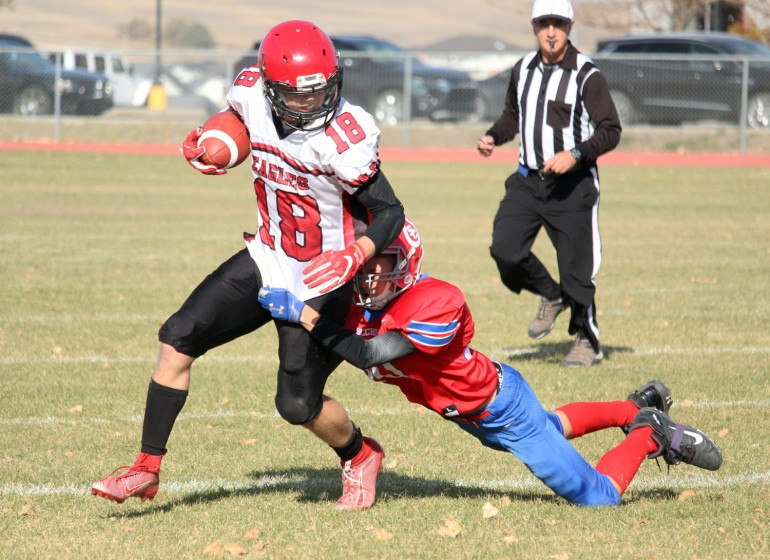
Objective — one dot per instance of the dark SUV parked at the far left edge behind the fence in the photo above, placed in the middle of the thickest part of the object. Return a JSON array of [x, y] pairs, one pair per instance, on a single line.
[[28, 83]]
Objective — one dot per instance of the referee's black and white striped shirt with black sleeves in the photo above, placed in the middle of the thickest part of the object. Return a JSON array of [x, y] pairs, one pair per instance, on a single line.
[[558, 107]]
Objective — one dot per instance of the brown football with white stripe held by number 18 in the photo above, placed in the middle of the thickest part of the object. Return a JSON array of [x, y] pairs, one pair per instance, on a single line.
[[226, 140]]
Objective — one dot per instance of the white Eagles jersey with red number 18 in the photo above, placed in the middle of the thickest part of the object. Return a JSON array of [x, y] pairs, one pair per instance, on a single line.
[[303, 183]]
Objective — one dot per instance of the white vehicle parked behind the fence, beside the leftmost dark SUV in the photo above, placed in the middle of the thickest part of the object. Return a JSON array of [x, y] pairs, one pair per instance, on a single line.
[[129, 90]]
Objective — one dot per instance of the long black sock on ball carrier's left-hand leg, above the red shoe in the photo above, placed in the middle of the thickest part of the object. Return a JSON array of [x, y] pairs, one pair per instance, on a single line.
[[163, 406]]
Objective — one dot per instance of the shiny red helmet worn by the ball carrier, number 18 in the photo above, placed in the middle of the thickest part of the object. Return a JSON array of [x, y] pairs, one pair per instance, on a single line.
[[296, 57]]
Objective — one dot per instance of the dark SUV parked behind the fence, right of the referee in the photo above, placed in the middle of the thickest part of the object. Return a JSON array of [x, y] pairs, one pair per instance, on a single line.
[[677, 77]]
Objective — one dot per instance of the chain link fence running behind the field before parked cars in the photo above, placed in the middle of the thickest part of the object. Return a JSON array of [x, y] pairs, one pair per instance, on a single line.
[[71, 95]]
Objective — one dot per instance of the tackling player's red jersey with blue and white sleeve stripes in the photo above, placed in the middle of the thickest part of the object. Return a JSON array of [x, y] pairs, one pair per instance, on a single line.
[[444, 370]]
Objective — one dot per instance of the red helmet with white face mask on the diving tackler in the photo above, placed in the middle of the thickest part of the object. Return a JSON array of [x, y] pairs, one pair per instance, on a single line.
[[407, 248]]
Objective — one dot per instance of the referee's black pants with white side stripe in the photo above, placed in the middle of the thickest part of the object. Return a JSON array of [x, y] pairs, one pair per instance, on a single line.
[[567, 206]]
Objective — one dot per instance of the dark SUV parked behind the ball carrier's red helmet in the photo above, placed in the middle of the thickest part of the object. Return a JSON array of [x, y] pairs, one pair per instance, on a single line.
[[374, 72]]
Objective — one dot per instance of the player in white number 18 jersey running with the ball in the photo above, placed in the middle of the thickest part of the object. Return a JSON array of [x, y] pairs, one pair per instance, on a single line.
[[318, 183]]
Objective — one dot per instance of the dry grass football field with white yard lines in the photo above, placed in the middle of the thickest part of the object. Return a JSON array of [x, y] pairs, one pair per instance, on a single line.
[[97, 250]]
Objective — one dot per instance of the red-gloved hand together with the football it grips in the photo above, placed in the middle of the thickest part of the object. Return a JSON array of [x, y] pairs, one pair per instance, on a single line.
[[221, 143]]
